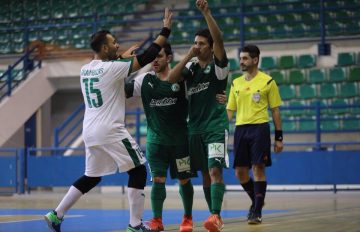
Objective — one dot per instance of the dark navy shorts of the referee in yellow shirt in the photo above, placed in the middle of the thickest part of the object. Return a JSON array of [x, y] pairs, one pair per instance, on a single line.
[[252, 145]]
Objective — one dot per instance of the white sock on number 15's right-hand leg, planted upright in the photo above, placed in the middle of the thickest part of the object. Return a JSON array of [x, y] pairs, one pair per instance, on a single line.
[[136, 199]]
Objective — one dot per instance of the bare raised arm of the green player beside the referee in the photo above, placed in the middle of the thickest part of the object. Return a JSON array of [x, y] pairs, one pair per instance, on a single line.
[[219, 50]]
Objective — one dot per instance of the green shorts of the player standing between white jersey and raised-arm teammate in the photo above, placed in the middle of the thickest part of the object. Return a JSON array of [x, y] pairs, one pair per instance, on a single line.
[[161, 157]]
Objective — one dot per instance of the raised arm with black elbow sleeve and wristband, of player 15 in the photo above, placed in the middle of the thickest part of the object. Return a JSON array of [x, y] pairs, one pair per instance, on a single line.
[[151, 52]]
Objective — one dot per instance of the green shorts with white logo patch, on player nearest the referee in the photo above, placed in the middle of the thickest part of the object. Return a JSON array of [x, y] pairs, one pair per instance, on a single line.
[[208, 150]]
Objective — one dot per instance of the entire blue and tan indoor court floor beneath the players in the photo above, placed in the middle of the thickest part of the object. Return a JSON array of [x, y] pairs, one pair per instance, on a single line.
[[97, 212]]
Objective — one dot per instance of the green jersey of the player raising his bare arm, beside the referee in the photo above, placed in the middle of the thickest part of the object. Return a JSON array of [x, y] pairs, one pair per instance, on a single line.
[[206, 114]]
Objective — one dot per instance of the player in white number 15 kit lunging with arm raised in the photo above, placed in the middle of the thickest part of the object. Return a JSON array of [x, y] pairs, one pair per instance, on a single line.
[[109, 147]]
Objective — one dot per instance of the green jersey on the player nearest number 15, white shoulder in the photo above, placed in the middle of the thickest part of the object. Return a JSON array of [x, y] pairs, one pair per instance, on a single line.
[[165, 107]]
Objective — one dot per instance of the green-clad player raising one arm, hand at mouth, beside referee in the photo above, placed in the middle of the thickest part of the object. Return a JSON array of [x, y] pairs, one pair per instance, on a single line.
[[208, 124]]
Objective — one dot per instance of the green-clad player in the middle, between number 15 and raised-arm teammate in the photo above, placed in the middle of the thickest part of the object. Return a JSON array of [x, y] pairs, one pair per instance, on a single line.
[[165, 106]]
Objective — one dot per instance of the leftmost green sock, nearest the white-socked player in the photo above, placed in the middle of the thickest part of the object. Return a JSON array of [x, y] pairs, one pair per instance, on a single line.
[[158, 195]]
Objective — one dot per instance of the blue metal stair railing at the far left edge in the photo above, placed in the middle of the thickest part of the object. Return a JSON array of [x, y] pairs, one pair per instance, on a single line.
[[28, 65]]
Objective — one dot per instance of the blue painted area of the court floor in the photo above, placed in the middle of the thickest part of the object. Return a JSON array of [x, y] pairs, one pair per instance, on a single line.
[[77, 220]]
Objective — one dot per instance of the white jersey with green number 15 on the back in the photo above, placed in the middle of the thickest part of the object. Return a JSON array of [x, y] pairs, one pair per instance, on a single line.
[[102, 86]]
